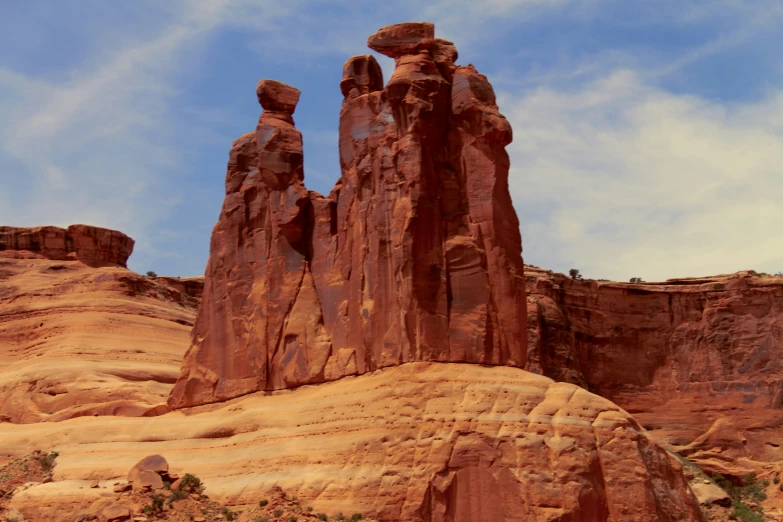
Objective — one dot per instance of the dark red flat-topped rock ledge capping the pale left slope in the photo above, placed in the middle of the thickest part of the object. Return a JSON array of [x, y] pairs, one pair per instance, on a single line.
[[93, 246]]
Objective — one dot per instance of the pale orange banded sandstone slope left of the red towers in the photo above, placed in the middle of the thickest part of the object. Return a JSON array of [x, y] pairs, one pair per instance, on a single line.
[[77, 340]]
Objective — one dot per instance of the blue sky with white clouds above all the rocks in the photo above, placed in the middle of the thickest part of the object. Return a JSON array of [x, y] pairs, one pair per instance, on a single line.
[[648, 135]]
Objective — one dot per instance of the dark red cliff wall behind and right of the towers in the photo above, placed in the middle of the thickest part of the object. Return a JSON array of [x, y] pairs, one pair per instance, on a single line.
[[697, 361]]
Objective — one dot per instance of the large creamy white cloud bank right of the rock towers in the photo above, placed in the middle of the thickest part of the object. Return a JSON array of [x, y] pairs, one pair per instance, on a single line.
[[622, 179]]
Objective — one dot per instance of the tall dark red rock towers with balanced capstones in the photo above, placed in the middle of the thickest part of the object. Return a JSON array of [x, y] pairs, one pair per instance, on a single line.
[[414, 256]]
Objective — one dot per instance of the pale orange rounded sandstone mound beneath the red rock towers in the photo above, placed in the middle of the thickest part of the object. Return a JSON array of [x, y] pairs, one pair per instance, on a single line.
[[417, 442]]
